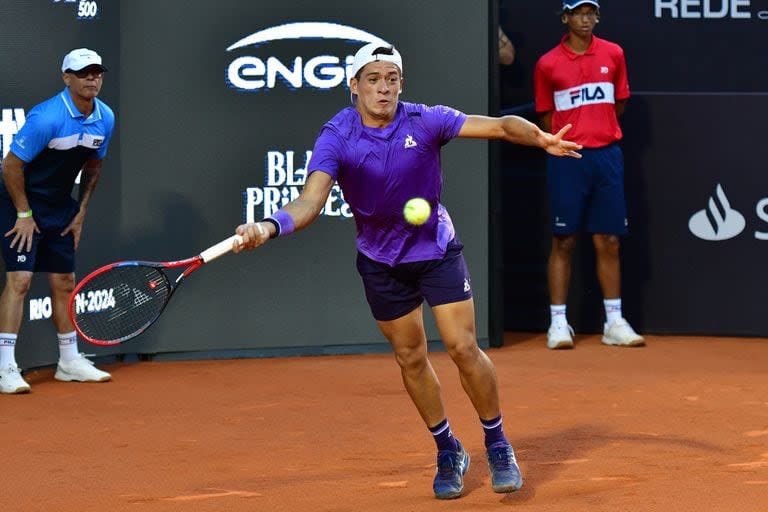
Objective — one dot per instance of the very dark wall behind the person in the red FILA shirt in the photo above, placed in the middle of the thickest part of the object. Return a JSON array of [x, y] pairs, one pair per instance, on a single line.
[[696, 186]]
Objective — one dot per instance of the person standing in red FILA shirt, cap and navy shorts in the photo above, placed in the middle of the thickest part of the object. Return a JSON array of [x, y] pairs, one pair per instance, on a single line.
[[583, 81]]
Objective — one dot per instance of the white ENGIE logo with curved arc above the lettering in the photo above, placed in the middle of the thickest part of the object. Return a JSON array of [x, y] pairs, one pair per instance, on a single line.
[[251, 73]]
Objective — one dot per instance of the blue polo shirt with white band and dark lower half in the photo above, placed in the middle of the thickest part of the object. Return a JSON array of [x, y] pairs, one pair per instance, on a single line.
[[55, 141]]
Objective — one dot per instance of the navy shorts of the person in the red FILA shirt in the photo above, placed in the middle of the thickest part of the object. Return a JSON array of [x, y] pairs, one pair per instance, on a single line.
[[588, 193]]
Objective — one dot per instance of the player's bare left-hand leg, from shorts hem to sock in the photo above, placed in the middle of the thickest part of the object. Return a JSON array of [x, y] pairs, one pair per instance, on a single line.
[[409, 343]]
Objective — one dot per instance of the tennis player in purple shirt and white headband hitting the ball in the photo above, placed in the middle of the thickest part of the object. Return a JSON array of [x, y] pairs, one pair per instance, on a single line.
[[384, 151]]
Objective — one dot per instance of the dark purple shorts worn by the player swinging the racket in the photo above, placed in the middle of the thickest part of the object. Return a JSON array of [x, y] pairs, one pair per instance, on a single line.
[[393, 292]]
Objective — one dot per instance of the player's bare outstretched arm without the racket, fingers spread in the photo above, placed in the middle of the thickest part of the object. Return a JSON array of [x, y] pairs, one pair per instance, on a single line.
[[519, 131]]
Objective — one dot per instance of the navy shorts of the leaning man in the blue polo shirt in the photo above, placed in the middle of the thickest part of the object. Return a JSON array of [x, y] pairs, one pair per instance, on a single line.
[[50, 252]]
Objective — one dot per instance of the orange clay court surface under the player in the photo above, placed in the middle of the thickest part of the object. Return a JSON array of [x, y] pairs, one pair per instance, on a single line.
[[680, 425]]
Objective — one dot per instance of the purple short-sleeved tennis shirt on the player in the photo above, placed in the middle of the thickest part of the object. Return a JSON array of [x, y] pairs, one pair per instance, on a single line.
[[380, 169]]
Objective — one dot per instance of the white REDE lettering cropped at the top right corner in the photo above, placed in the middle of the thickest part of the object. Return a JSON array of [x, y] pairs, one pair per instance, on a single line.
[[707, 9]]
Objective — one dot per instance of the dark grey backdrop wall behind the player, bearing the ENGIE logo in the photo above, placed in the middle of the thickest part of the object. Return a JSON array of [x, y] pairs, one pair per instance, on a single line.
[[217, 111]]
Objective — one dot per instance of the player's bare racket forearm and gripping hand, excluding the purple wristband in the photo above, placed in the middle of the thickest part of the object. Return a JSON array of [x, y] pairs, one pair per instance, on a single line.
[[302, 211]]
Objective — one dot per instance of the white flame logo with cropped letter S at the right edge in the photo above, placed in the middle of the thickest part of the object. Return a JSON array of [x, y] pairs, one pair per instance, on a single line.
[[718, 221]]
